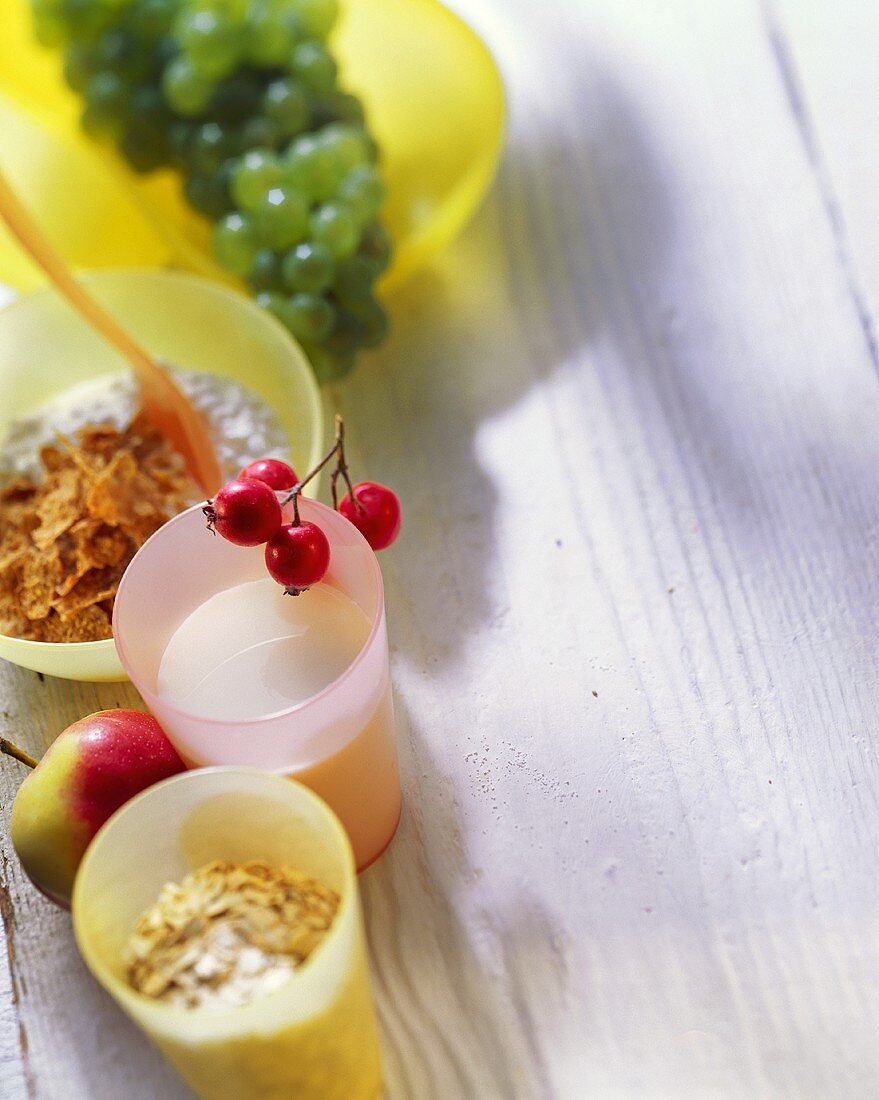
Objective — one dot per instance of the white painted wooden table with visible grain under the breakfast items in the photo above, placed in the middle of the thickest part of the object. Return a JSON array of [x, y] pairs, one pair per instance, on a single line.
[[634, 416]]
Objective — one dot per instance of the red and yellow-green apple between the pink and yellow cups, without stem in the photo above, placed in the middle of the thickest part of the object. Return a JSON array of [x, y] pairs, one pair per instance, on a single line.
[[92, 769]]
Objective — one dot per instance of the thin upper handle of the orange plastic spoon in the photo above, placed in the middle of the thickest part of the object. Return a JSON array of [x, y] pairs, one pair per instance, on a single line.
[[36, 245]]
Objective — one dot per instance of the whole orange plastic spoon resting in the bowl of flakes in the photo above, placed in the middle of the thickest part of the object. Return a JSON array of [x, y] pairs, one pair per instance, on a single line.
[[166, 405]]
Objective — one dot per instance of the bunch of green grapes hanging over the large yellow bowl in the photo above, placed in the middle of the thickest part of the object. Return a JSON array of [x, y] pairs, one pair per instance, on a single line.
[[243, 98]]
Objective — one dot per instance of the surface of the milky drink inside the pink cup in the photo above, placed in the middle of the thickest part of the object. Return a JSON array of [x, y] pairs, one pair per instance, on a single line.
[[252, 651]]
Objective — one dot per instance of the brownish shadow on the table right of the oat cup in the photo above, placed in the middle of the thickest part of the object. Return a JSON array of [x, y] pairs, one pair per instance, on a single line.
[[456, 1022]]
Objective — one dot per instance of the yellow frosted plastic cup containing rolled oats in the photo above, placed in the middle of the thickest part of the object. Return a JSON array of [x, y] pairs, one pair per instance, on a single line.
[[315, 1038]]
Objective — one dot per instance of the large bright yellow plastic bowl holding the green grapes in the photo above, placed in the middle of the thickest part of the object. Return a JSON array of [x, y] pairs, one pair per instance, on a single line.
[[431, 89]]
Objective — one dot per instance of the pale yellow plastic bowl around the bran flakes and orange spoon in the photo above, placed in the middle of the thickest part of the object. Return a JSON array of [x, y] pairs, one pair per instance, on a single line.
[[193, 323]]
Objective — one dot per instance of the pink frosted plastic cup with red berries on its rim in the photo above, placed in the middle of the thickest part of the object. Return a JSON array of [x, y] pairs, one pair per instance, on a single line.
[[342, 742]]
